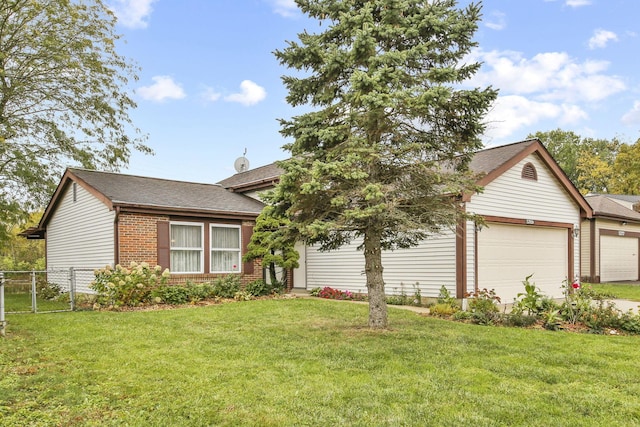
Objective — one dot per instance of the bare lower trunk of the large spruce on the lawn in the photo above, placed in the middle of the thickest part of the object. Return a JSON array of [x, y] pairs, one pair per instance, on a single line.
[[375, 282]]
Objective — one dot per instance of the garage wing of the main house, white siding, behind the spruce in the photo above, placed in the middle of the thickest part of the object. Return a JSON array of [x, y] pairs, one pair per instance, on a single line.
[[532, 216]]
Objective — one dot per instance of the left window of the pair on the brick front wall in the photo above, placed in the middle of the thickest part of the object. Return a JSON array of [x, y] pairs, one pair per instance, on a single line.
[[187, 248]]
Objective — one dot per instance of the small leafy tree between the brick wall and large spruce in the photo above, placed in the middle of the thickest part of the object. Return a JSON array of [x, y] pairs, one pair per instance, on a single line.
[[269, 243]]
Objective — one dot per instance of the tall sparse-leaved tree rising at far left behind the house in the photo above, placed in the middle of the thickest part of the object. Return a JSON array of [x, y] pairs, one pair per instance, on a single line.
[[62, 98]]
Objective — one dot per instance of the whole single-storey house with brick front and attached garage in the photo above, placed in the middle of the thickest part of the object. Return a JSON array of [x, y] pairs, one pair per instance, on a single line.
[[532, 215]]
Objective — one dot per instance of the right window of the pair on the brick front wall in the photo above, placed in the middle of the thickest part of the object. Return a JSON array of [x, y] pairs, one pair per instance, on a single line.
[[225, 249]]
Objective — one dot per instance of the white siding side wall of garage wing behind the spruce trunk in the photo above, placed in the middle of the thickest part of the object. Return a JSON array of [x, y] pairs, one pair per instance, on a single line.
[[426, 267]]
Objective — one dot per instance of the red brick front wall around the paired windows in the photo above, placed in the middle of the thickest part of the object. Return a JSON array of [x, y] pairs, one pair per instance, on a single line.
[[138, 242]]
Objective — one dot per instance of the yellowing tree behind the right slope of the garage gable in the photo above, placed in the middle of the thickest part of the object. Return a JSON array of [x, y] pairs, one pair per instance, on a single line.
[[587, 162]]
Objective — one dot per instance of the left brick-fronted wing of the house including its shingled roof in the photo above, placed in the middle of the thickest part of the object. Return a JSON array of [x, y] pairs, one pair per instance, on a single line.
[[198, 231]]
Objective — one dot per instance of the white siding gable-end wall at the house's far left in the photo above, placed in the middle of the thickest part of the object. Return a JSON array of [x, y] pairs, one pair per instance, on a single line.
[[80, 234]]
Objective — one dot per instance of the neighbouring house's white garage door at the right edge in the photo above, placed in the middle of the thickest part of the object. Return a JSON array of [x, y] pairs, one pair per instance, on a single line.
[[618, 258]]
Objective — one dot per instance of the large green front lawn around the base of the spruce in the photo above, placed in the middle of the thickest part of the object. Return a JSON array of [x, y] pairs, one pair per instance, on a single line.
[[307, 362]]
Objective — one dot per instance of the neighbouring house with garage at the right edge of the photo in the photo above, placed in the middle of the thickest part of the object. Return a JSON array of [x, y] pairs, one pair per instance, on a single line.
[[611, 239]]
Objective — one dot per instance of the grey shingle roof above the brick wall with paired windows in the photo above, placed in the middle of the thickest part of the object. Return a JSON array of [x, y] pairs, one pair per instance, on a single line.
[[131, 190]]
